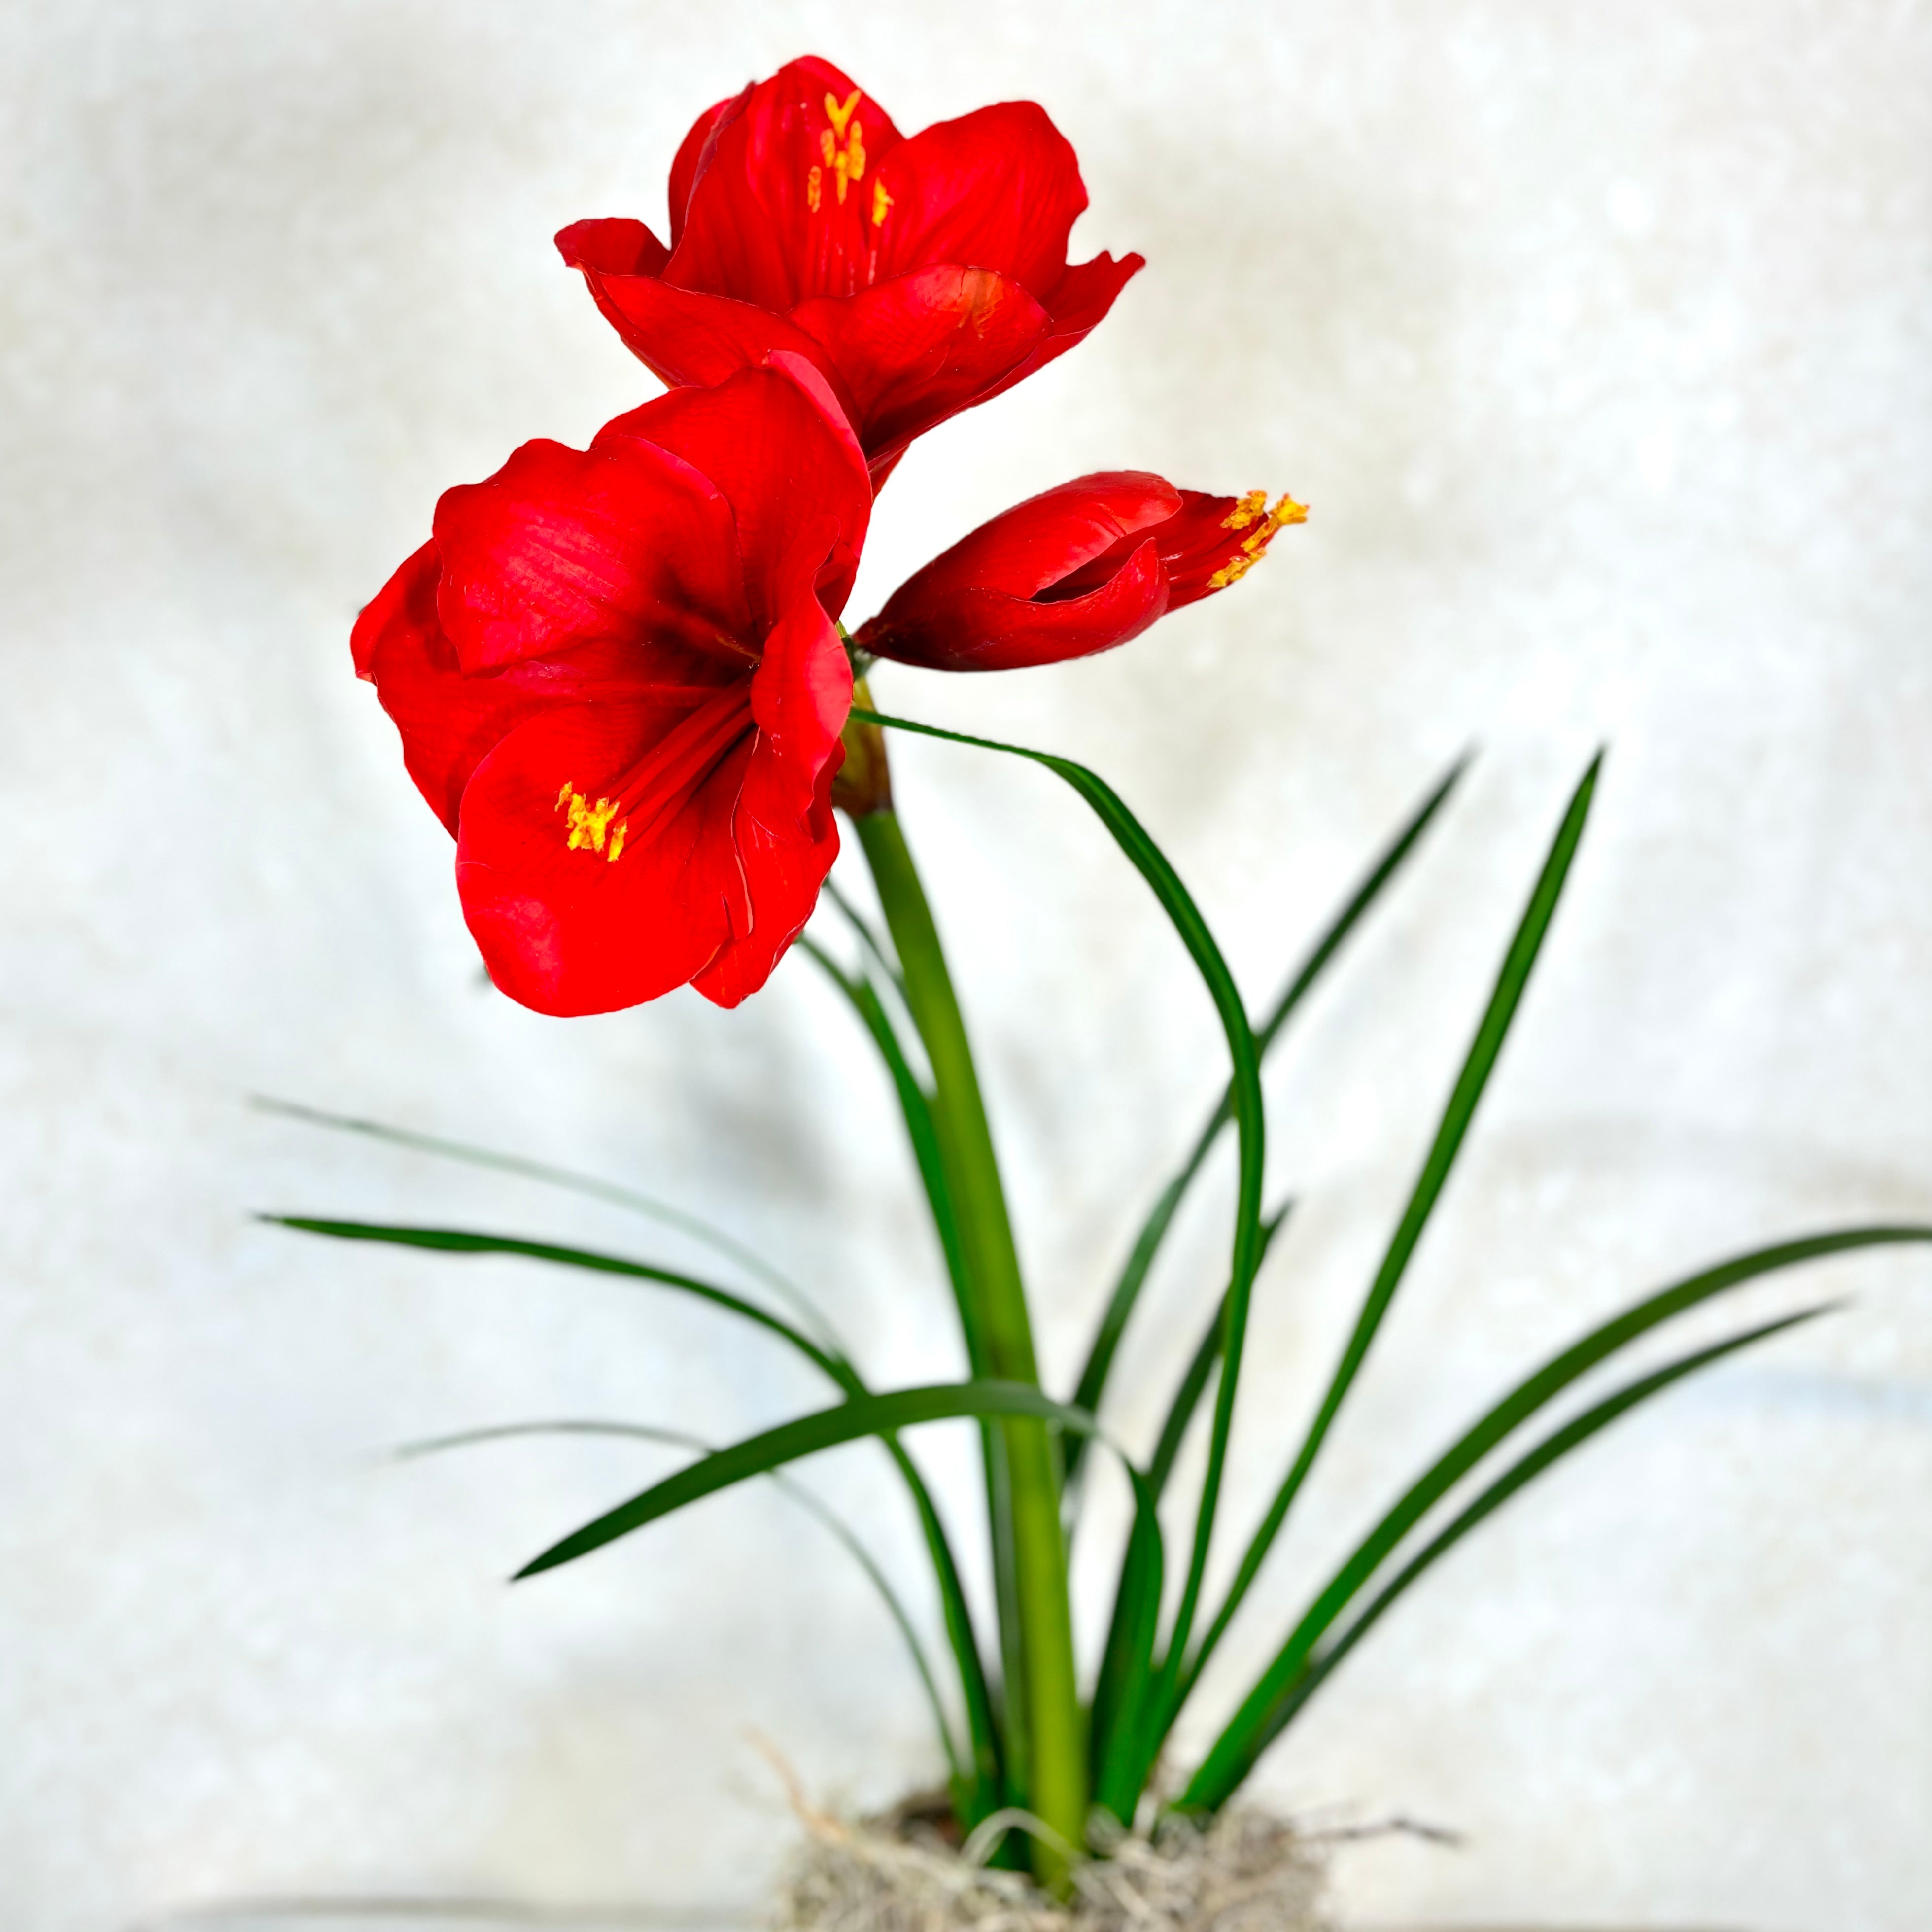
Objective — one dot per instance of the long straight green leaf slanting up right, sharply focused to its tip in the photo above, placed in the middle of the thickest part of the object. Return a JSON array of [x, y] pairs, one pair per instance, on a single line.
[[1450, 1133]]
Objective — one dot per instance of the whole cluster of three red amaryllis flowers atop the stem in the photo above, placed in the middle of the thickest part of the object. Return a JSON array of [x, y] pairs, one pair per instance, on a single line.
[[617, 671]]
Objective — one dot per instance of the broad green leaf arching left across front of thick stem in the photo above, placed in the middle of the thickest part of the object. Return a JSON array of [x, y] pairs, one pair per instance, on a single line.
[[851, 1421]]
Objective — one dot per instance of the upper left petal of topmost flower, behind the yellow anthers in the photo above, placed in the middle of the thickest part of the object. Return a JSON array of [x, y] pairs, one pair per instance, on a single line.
[[766, 219]]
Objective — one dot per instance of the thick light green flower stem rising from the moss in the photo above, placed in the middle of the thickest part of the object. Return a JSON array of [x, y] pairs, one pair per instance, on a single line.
[[1046, 1746]]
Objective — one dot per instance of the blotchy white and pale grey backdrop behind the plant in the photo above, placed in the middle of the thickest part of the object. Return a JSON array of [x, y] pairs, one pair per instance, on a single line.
[[1599, 339]]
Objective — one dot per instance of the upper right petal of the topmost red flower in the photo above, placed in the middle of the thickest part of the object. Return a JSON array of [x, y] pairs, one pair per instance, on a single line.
[[996, 190]]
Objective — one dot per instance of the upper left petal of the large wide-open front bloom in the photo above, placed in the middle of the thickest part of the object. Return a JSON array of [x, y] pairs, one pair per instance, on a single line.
[[565, 548]]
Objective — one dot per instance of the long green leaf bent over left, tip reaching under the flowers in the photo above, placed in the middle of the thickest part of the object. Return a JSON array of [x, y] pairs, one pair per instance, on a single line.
[[1195, 934]]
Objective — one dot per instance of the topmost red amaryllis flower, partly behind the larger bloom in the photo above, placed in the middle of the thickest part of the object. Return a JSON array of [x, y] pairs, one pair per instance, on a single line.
[[923, 275]]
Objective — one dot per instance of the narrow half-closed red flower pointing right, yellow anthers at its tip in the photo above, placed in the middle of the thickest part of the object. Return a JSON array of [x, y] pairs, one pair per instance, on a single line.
[[1073, 571]]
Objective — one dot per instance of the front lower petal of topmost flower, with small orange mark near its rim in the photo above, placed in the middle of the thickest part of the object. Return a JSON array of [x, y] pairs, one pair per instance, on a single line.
[[924, 347]]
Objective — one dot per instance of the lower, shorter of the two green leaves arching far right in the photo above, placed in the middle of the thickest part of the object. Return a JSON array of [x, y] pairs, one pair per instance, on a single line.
[[1299, 1672]]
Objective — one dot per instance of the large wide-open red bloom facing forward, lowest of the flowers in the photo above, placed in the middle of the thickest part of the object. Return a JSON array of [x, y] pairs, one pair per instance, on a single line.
[[619, 685]]
